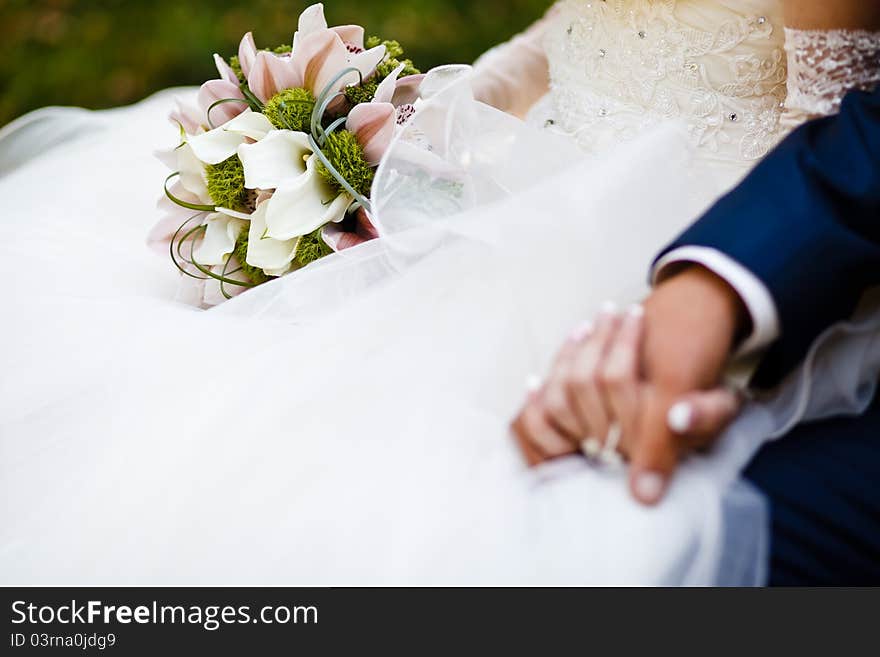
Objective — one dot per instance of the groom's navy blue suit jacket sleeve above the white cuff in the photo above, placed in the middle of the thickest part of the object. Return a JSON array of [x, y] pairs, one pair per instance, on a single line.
[[806, 223]]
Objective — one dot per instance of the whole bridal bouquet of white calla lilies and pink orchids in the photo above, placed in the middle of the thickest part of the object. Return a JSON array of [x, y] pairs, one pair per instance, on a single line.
[[276, 161]]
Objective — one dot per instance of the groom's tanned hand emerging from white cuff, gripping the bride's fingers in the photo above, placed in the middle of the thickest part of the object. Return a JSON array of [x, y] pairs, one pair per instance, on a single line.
[[692, 321]]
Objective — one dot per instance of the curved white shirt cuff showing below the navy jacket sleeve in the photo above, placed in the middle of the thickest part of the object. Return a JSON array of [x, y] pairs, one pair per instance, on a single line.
[[755, 296]]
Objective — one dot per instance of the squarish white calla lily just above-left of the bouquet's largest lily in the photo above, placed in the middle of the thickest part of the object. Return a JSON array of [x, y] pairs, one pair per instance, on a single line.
[[280, 156]]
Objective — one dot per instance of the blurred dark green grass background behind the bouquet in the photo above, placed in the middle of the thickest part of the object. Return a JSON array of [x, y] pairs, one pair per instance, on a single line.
[[103, 53]]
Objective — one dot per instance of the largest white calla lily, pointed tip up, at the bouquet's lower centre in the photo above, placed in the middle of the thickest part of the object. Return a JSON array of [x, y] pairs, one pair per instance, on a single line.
[[304, 204]]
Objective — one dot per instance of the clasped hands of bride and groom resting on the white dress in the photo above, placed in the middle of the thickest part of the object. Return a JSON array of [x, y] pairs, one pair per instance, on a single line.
[[648, 375]]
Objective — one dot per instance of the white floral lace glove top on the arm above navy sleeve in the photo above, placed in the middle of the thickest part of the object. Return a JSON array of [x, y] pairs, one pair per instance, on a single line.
[[823, 65]]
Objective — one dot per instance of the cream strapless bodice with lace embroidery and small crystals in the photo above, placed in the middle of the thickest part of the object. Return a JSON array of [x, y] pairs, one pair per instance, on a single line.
[[619, 66]]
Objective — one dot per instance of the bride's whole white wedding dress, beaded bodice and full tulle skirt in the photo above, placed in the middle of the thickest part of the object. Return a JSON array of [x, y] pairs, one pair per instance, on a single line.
[[348, 424]]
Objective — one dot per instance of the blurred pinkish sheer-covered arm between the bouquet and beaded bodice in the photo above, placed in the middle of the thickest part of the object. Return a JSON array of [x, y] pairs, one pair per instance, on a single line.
[[515, 75]]
